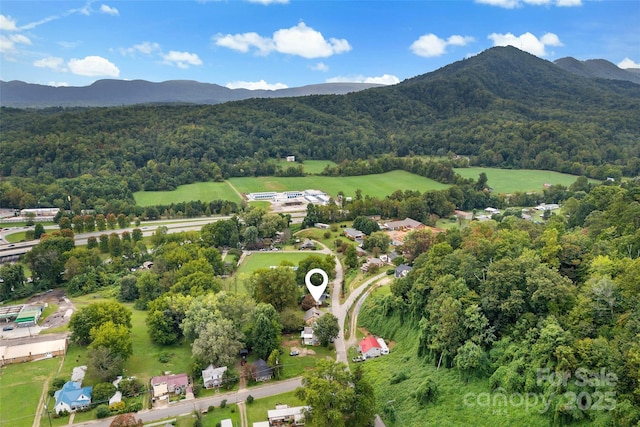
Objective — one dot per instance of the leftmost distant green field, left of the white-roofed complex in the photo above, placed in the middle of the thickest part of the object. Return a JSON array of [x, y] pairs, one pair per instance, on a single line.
[[205, 191]]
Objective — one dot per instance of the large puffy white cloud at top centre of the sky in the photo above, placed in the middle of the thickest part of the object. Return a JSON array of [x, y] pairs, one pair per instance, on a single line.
[[299, 40]]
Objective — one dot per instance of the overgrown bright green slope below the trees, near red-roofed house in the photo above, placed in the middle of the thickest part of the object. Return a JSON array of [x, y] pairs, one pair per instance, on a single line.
[[459, 403]]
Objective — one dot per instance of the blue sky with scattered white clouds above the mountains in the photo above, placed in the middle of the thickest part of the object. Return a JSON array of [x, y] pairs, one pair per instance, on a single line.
[[270, 44]]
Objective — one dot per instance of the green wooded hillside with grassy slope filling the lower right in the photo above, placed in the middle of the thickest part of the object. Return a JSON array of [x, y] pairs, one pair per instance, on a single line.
[[520, 312]]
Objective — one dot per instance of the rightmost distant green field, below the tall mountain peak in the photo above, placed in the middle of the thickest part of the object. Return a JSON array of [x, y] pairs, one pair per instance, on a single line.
[[523, 180]]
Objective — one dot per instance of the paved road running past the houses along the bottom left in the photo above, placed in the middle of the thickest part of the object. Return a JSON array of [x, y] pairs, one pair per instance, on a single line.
[[187, 407]]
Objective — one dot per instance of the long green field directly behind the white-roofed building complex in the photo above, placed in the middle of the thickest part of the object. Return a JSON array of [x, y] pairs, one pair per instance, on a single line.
[[378, 185]]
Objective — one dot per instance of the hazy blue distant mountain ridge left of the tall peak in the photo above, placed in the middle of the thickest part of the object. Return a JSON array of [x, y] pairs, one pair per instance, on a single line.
[[109, 93]]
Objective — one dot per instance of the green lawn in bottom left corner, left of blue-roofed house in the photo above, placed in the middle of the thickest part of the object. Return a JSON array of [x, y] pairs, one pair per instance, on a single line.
[[21, 385]]
